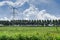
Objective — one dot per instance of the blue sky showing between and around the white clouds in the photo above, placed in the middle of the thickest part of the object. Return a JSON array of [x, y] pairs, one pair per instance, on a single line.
[[51, 6]]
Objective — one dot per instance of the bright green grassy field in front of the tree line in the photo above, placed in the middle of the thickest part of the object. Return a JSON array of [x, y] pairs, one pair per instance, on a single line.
[[29, 33]]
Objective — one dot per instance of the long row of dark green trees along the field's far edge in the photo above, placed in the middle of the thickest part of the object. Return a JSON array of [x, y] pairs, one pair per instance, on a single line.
[[31, 22]]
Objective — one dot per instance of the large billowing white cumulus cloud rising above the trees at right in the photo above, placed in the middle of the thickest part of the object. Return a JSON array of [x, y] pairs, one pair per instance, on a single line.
[[33, 13]]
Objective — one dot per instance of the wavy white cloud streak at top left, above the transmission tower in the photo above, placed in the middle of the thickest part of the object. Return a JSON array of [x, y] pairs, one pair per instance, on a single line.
[[14, 4]]
